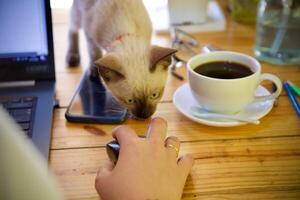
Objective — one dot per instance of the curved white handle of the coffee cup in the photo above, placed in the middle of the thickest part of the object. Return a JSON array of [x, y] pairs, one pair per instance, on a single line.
[[274, 79]]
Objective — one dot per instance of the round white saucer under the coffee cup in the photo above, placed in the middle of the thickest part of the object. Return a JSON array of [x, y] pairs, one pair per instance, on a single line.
[[184, 100]]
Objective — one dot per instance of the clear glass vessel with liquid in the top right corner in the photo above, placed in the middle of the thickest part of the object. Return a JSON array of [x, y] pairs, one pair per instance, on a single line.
[[278, 31]]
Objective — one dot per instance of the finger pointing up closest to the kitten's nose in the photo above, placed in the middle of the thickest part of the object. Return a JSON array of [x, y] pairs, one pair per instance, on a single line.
[[157, 129]]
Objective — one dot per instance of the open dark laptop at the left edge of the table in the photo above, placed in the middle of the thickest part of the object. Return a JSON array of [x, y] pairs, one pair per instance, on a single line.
[[27, 74]]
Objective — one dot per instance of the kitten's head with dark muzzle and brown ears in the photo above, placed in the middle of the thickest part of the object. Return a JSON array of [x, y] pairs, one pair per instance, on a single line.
[[137, 78]]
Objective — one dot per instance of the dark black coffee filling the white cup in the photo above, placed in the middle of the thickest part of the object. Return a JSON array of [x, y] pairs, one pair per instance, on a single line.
[[223, 70]]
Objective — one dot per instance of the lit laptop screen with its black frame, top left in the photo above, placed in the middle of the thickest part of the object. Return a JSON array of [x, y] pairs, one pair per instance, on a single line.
[[25, 40]]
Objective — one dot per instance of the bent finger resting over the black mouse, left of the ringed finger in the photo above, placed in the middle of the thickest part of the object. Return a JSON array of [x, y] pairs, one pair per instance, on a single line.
[[123, 134]]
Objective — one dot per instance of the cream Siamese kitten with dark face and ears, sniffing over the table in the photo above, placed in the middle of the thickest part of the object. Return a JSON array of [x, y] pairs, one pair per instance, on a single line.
[[132, 69]]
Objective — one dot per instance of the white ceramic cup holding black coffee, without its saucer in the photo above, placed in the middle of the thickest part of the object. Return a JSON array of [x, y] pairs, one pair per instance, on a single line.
[[228, 95]]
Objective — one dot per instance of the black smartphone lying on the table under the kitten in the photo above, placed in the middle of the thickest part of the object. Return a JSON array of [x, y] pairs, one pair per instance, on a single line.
[[93, 103]]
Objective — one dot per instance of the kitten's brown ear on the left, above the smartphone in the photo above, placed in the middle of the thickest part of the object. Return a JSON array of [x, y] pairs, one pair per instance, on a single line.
[[110, 68]]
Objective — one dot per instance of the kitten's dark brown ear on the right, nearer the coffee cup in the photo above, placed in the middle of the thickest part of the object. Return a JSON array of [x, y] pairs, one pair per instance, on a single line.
[[160, 56]]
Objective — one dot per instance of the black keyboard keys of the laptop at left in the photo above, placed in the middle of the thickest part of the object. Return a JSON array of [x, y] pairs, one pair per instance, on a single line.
[[21, 109]]
